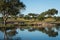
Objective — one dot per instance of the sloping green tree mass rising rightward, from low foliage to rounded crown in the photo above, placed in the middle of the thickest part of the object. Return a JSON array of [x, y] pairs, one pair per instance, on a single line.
[[48, 13]]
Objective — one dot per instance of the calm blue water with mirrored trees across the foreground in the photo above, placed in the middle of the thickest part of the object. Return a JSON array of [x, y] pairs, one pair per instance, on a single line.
[[31, 33]]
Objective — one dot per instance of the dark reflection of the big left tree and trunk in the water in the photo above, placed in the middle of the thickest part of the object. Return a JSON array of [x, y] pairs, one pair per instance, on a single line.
[[9, 34]]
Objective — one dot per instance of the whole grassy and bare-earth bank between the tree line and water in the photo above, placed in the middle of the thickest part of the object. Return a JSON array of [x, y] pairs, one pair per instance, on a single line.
[[32, 22]]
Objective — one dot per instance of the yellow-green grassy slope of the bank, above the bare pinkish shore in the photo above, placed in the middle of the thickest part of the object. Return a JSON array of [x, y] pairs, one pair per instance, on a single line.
[[25, 22]]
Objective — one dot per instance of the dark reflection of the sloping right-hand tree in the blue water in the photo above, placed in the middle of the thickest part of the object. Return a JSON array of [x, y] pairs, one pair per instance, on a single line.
[[50, 32]]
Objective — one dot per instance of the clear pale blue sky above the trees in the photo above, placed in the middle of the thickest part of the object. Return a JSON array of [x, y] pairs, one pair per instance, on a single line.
[[38, 6]]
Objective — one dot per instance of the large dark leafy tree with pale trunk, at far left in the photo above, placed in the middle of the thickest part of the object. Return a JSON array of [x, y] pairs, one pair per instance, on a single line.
[[10, 7]]
